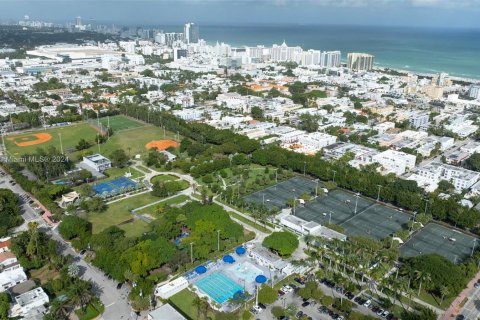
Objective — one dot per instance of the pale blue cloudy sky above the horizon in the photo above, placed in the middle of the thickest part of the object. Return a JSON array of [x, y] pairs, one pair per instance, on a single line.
[[436, 13]]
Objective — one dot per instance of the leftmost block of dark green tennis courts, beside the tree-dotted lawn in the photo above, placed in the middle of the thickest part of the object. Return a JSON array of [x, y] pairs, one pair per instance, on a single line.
[[278, 195]]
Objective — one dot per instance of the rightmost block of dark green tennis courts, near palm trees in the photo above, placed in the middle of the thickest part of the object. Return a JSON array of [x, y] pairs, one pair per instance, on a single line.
[[435, 238]]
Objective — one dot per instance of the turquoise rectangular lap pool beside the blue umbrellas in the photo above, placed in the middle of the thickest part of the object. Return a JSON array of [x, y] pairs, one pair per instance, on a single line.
[[219, 287]]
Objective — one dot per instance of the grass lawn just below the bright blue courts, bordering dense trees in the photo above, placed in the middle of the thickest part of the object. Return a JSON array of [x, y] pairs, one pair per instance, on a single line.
[[119, 211]]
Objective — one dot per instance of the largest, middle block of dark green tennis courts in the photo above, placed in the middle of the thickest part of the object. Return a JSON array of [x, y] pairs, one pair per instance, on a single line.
[[358, 215]]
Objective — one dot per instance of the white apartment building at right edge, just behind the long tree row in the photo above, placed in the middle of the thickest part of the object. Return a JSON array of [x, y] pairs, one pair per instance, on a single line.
[[459, 177]]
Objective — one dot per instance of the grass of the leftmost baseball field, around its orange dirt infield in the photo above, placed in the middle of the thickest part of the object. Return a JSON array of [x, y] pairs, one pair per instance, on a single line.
[[70, 136]]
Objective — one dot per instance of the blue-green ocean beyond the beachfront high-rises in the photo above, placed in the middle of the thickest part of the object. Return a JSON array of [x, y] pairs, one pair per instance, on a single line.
[[423, 50]]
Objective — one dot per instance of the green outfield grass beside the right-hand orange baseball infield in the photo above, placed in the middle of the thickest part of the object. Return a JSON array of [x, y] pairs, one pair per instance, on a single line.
[[132, 141]]
